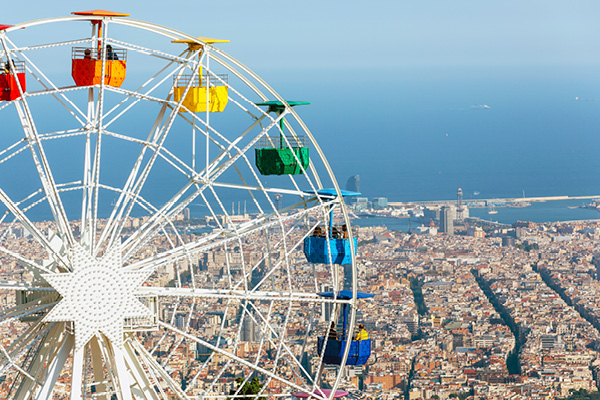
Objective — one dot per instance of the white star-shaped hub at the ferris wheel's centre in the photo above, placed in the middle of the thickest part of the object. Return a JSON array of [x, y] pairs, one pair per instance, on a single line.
[[97, 295]]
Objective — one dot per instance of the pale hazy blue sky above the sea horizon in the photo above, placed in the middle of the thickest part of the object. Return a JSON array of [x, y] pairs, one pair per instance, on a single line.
[[374, 34]]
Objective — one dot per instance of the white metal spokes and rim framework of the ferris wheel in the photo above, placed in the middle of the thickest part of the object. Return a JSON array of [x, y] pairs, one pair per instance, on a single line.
[[142, 366]]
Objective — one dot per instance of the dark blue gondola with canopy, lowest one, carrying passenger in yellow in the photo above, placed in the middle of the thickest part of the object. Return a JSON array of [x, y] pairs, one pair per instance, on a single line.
[[360, 350]]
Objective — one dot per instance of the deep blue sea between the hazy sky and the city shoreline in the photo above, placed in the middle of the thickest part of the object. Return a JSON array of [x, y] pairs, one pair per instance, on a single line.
[[422, 133]]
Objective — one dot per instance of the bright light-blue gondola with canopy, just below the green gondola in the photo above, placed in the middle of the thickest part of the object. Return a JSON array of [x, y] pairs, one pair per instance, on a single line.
[[316, 248]]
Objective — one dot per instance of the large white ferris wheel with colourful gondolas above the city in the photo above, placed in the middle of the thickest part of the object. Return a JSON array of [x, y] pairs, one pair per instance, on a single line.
[[169, 228]]
